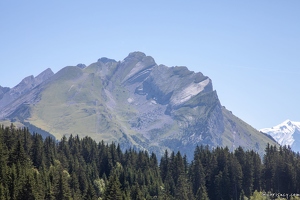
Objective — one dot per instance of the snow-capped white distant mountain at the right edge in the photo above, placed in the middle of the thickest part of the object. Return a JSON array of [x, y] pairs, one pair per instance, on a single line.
[[286, 133]]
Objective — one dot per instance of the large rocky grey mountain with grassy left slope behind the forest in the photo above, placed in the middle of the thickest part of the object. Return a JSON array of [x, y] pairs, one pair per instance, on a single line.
[[136, 103]]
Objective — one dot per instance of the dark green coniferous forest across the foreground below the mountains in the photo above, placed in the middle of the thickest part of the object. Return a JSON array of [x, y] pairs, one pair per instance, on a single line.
[[80, 168]]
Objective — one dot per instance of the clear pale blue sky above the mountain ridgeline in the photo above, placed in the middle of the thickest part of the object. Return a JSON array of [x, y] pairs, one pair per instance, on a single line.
[[250, 49]]
